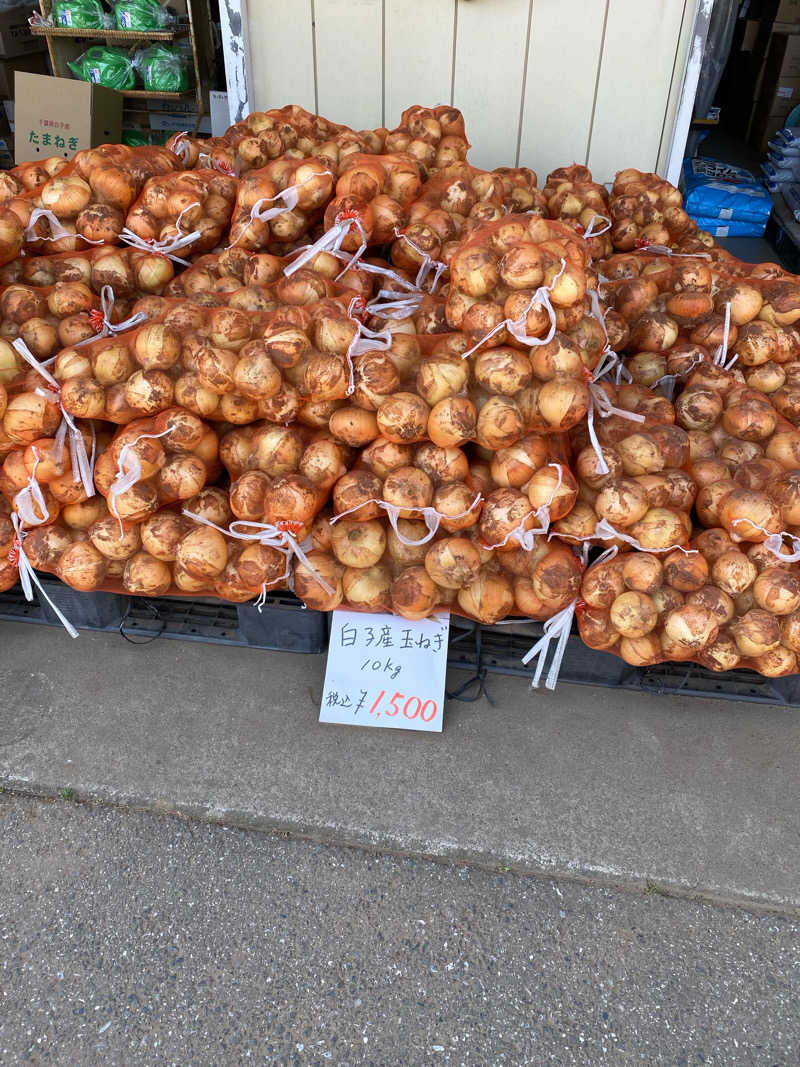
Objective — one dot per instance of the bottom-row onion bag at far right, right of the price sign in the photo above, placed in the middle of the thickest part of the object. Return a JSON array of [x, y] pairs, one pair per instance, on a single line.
[[713, 604]]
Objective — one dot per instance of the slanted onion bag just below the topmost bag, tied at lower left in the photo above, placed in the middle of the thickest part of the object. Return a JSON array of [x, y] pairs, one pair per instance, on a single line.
[[450, 208]]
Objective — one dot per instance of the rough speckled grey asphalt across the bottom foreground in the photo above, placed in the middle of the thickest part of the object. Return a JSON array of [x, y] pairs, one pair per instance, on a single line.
[[127, 938]]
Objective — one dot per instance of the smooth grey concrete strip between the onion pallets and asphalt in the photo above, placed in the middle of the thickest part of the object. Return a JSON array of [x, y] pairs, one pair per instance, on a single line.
[[697, 797]]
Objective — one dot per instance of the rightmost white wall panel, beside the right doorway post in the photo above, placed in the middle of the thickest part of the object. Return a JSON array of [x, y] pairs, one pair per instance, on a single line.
[[634, 87]]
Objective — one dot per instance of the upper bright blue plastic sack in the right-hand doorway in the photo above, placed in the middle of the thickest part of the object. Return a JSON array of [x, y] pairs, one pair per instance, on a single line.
[[716, 190]]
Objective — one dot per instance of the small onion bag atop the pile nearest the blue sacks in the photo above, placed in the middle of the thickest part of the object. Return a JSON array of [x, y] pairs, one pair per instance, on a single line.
[[647, 211]]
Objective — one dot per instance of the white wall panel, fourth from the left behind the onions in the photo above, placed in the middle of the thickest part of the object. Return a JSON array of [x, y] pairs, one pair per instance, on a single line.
[[491, 41]]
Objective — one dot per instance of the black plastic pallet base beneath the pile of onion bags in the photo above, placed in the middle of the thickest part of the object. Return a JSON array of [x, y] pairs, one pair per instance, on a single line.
[[284, 625]]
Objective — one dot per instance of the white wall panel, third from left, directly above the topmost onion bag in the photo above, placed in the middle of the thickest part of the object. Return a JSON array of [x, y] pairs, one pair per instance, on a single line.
[[419, 49]]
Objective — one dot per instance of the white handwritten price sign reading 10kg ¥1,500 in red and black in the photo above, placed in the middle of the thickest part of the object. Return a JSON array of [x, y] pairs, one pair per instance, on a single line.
[[386, 672]]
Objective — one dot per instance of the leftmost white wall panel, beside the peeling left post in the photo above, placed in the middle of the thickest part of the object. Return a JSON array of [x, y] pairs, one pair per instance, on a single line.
[[282, 55]]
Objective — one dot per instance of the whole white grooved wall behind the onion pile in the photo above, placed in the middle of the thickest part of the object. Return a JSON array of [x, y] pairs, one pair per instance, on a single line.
[[541, 83]]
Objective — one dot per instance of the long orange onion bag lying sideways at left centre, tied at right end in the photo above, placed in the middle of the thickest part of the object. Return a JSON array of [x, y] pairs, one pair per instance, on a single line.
[[221, 363]]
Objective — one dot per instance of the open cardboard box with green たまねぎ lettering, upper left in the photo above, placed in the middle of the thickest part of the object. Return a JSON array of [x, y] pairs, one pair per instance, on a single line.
[[58, 117]]
